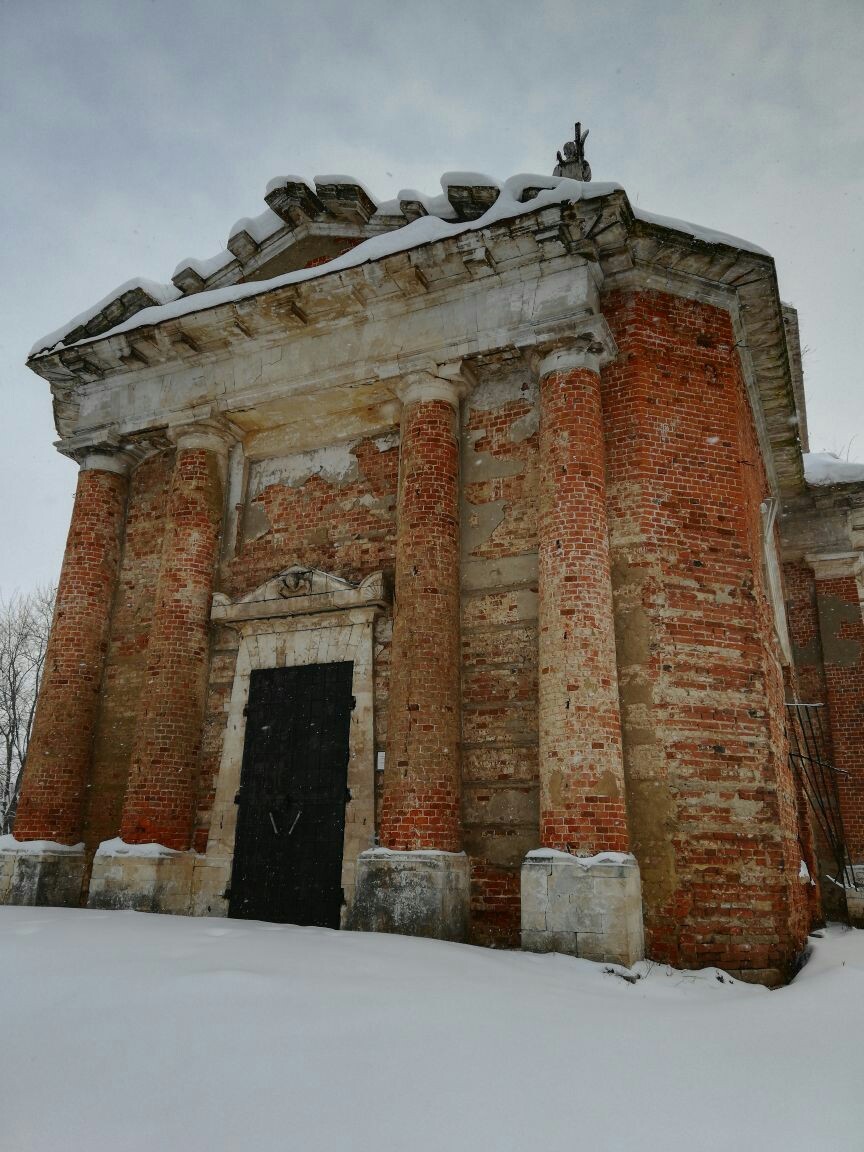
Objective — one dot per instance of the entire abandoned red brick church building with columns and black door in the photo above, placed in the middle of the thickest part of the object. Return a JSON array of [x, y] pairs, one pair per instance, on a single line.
[[449, 566]]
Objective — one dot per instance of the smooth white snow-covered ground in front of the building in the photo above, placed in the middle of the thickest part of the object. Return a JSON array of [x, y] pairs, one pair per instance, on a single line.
[[125, 1032]]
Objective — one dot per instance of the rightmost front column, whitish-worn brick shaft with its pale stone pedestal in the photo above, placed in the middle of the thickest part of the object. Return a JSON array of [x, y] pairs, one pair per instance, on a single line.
[[583, 808]]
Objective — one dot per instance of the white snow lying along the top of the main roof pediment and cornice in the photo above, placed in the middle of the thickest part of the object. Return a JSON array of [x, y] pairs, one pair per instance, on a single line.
[[439, 223]]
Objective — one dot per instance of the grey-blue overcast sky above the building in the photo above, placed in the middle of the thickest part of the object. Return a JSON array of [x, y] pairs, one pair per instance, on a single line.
[[134, 133]]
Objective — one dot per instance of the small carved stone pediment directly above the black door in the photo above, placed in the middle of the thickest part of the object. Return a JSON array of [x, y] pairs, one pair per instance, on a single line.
[[299, 590]]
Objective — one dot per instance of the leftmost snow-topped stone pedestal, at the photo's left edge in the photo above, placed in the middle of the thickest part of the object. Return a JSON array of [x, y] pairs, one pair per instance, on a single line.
[[41, 873]]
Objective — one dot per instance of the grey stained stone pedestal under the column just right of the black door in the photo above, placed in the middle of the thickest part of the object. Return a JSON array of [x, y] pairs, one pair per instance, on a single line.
[[422, 893]]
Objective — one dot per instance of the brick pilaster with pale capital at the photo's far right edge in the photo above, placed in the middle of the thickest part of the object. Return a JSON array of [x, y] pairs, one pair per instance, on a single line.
[[842, 627]]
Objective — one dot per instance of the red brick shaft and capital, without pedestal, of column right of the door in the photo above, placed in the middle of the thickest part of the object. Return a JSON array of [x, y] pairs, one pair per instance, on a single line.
[[421, 801]]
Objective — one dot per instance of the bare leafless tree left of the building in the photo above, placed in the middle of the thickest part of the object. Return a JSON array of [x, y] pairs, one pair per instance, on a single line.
[[25, 627]]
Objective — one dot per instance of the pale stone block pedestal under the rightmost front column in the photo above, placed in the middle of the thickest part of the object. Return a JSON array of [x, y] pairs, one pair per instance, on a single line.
[[589, 907]]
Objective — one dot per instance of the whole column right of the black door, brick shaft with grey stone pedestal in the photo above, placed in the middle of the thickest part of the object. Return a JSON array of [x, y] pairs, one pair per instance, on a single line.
[[422, 785]]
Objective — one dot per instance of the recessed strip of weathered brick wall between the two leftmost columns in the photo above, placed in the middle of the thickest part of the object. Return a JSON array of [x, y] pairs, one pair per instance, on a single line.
[[127, 661]]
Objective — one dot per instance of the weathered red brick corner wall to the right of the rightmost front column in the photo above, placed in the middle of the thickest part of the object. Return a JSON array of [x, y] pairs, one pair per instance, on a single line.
[[711, 798]]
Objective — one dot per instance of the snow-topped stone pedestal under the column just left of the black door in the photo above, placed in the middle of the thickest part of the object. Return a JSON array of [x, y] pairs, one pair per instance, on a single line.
[[143, 878]]
